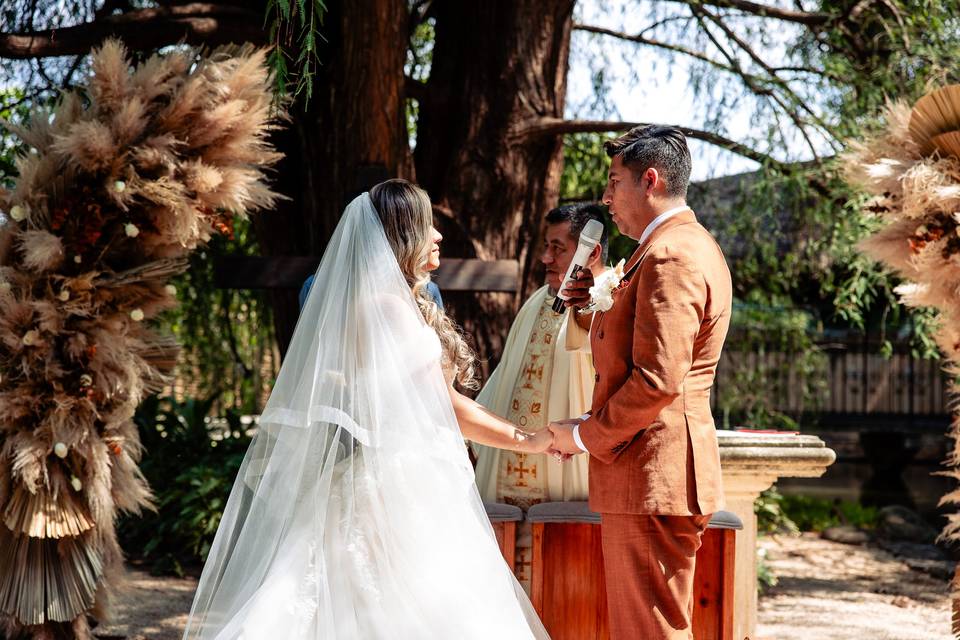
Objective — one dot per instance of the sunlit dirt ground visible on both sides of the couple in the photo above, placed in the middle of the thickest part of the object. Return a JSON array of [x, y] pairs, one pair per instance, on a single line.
[[826, 591]]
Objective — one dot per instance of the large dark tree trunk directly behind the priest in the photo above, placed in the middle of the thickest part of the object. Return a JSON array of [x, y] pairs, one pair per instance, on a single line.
[[498, 67]]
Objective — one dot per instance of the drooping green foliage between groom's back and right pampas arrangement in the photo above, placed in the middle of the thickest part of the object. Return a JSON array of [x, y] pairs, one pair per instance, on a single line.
[[792, 241]]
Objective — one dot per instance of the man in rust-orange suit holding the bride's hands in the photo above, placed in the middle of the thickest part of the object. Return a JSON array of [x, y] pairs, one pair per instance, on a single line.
[[654, 461]]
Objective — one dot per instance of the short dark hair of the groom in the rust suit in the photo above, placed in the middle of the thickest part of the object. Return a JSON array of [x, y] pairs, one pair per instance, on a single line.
[[659, 146]]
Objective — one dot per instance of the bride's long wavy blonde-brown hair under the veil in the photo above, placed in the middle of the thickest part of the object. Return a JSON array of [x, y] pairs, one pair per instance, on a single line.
[[407, 217]]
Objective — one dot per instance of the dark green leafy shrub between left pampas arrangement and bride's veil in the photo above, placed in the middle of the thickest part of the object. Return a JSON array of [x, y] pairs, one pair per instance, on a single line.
[[191, 468]]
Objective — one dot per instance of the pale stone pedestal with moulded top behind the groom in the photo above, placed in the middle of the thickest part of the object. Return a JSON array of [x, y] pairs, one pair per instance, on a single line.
[[751, 463]]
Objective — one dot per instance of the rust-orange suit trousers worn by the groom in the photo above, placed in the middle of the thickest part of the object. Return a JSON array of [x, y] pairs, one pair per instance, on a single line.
[[649, 562]]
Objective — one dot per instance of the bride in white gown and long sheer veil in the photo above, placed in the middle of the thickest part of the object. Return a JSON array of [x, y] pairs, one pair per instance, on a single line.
[[355, 514]]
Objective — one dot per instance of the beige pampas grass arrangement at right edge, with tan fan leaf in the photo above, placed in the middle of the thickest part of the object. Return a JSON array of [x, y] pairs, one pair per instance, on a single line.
[[911, 170]]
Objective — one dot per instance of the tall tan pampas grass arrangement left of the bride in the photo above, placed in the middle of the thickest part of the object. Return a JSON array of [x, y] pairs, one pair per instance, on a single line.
[[123, 179]]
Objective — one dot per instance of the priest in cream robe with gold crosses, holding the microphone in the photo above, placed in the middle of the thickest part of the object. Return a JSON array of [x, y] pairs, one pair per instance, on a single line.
[[545, 374]]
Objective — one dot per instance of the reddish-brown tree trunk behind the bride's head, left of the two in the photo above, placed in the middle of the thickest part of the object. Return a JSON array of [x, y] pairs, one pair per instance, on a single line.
[[350, 135]]
